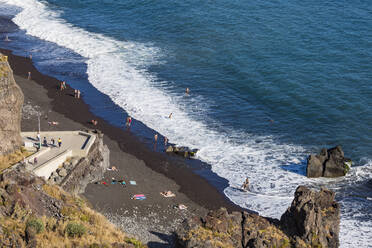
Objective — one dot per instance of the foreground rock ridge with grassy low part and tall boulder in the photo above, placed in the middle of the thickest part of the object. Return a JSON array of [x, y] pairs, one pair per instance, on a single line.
[[311, 221]]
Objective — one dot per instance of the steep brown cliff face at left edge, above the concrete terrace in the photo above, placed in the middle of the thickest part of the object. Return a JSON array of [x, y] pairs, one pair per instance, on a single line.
[[11, 101]]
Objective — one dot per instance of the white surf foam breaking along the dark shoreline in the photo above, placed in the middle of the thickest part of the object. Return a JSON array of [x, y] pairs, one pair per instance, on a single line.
[[118, 69]]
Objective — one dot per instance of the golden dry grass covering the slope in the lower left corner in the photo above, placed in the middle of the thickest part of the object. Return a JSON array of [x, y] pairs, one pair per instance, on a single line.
[[99, 230]]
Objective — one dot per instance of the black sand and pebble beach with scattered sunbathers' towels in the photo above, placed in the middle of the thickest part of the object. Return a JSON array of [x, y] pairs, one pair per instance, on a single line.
[[153, 219]]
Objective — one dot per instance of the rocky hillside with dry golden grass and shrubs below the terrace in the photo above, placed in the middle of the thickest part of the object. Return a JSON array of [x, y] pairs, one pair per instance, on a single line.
[[36, 214]]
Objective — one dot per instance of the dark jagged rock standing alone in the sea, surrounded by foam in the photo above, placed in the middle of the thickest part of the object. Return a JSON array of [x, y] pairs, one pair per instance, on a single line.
[[328, 163]]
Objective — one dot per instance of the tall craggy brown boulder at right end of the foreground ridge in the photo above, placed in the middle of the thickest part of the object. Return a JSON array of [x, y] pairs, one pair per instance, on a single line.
[[314, 217]]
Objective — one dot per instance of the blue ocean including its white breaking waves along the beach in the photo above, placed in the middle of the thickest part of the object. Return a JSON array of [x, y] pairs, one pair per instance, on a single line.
[[270, 82]]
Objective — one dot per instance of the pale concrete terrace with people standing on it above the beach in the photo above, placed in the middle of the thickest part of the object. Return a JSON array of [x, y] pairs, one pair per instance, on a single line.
[[49, 158]]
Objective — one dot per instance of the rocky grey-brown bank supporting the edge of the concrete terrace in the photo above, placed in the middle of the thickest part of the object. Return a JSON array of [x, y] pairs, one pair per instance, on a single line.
[[75, 175]]
